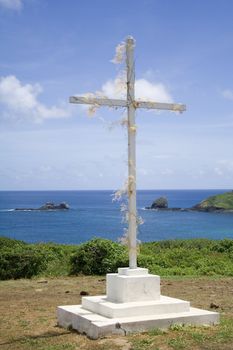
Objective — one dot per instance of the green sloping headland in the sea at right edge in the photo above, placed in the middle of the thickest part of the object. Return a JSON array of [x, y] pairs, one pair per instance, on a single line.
[[222, 201]]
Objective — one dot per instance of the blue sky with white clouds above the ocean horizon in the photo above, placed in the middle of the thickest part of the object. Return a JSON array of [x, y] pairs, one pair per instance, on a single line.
[[51, 50]]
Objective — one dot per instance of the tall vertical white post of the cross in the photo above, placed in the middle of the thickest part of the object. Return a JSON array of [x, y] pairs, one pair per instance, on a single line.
[[132, 228]]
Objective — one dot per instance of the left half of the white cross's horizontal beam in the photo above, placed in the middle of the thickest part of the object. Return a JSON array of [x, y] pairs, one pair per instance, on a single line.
[[98, 101]]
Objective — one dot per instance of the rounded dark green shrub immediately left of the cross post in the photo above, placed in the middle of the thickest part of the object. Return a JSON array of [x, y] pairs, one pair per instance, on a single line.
[[98, 257]]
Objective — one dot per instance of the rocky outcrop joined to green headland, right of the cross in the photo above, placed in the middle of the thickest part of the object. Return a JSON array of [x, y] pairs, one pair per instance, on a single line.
[[218, 203]]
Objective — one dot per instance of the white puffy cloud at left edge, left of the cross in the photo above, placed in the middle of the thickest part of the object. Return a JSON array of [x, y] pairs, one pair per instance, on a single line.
[[21, 101]]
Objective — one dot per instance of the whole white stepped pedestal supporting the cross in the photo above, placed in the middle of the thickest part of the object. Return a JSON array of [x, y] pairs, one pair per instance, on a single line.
[[132, 304]]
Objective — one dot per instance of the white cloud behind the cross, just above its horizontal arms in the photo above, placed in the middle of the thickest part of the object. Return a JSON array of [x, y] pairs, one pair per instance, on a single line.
[[144, 90]]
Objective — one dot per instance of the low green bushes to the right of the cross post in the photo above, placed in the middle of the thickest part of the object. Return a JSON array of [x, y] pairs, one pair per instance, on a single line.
[[193, 257]]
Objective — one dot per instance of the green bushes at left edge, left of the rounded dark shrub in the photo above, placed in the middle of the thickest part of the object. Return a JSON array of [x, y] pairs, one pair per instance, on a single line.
[[22, 260]]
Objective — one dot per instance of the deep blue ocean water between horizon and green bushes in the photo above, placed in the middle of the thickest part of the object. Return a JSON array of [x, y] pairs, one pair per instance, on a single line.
[[93, 214]]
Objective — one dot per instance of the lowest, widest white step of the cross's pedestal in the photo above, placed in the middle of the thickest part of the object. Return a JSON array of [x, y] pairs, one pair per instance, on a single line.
[[95, 325]]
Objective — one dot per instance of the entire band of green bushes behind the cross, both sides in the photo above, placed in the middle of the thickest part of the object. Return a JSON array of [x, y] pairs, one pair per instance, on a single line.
[[193, 257]]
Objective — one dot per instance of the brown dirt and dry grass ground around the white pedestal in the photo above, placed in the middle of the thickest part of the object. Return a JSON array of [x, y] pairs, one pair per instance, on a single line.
[[28, 314]]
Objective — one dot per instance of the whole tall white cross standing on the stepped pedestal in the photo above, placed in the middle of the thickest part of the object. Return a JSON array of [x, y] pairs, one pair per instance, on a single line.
[[131, 105]]
